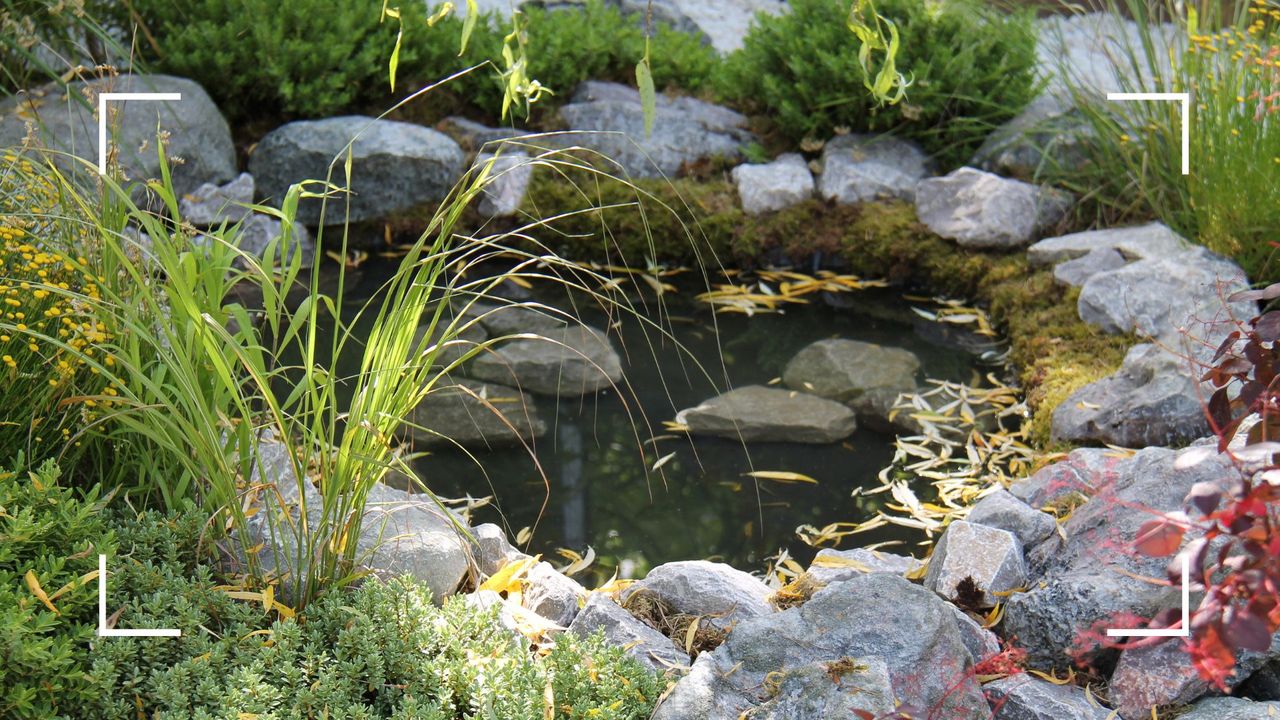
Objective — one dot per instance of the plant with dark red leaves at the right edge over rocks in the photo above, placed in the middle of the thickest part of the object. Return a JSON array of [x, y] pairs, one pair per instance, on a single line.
[[1235, 553]]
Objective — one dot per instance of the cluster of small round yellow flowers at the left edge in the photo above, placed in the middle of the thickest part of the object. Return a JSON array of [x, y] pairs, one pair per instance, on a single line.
[[49, 335]]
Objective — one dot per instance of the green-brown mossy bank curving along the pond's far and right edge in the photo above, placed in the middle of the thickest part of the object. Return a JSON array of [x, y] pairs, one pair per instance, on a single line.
[[692, 221]]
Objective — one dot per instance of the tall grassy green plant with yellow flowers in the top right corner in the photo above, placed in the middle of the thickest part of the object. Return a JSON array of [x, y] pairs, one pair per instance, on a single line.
[[1227, 60]]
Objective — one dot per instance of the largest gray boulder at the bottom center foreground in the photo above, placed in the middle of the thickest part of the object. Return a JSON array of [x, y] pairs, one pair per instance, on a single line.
[[844, 627]]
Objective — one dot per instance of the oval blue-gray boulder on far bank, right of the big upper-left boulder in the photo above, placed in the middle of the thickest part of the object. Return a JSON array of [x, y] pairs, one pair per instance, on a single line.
[[395, 166]]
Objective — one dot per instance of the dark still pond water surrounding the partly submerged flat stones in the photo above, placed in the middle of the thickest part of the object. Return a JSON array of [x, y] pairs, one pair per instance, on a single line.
[[593, 482]]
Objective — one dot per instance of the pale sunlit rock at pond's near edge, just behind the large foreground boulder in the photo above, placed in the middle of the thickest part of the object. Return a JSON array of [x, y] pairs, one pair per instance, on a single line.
[[723, 594]]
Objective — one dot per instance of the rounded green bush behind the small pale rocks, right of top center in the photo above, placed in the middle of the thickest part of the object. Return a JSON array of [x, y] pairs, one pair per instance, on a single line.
[[971, 66]]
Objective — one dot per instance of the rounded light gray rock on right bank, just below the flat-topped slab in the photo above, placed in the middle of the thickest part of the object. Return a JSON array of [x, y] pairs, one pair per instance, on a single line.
[[1160, 297]]
